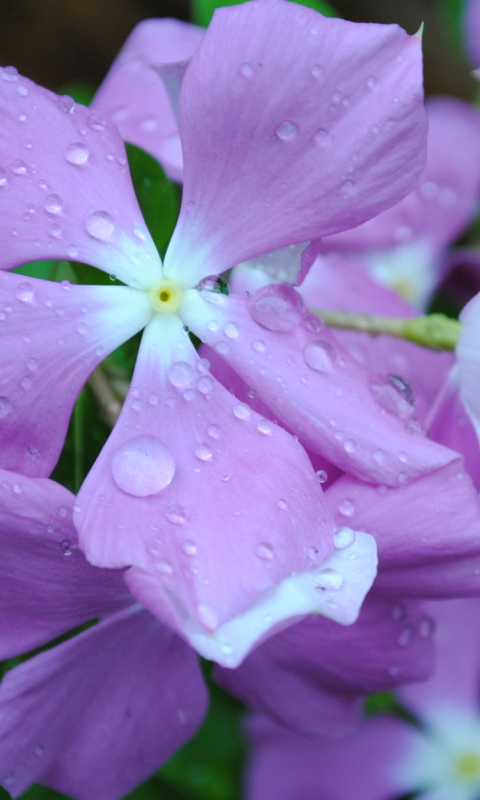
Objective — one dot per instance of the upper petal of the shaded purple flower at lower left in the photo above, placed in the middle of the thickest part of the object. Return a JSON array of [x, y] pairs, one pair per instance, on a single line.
[[46, 585]]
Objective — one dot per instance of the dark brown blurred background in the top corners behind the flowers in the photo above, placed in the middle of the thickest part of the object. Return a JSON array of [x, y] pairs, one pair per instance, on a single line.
[[54, 42]]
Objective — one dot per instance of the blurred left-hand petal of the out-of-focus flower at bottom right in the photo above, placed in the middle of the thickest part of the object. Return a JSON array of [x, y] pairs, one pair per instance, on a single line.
[[357, 767]]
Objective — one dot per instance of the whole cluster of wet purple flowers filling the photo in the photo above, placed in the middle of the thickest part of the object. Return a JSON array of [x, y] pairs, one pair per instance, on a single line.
[[277, 496]]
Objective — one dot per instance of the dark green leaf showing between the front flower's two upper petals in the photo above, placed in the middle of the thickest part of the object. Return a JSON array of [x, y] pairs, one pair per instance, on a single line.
[[158, 197]]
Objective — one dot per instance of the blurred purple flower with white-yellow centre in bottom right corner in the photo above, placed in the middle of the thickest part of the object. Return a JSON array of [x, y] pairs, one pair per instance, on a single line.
[[389, 756]]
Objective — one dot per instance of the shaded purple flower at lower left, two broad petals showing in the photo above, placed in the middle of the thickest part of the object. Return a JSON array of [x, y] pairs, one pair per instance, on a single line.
[[97, 714]]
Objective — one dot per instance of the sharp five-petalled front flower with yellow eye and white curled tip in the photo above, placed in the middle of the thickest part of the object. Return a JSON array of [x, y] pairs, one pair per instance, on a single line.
[[269, 125]]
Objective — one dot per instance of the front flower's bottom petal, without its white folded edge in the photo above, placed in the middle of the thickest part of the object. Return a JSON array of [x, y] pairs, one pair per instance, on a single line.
[[173, 478]]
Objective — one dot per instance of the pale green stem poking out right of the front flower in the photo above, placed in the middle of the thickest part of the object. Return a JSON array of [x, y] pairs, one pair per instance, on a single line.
[[435, 331]]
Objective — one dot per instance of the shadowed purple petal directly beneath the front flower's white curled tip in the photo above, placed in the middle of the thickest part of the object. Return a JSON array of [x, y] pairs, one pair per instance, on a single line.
[[312, 676]]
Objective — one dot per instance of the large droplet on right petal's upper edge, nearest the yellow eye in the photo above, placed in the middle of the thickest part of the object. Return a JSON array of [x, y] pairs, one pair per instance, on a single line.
[[276, 308]]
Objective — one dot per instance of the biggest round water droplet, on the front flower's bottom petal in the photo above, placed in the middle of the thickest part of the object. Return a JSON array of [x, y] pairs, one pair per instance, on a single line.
[[143, 466]]
